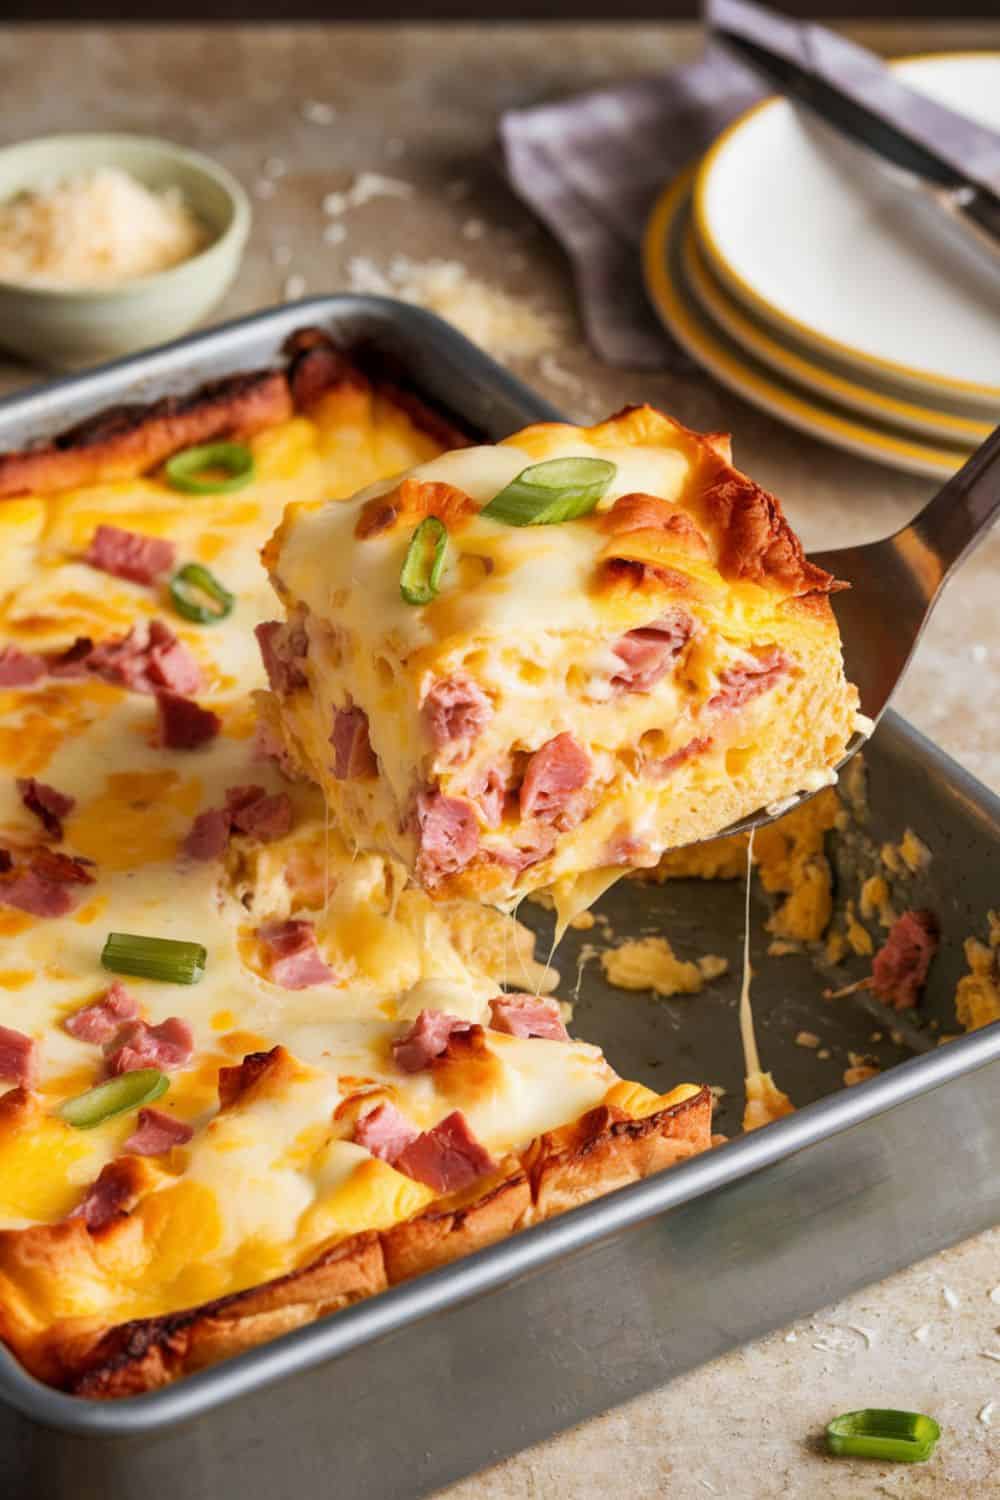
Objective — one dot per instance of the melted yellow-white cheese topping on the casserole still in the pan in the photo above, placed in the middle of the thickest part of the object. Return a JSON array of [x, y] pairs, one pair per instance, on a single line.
[[260, 1186]]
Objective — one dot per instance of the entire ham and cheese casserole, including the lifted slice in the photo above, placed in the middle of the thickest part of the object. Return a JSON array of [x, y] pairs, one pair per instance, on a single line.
[[250, 1076]]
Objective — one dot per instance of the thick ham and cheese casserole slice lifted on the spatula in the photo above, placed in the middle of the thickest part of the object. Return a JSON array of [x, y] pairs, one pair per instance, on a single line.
[[575, 697]]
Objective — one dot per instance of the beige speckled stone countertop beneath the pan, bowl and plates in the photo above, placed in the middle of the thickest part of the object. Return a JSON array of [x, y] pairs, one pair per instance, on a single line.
[[422, 104]]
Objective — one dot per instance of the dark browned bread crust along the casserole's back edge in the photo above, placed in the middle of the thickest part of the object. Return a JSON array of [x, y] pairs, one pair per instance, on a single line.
[[131, 440]]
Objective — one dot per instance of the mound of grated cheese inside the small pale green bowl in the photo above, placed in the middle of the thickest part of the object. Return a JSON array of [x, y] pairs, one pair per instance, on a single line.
[[95, 230]]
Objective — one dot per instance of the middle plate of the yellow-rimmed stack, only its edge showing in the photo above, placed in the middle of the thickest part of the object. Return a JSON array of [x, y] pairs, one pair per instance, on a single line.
[[866, 395]]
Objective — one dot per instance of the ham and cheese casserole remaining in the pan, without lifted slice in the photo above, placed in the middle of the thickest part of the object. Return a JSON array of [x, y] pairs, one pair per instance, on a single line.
[[353, 1091]]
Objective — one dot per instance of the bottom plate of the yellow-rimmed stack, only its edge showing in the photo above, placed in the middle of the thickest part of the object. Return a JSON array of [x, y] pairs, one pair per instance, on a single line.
[[719, 353]]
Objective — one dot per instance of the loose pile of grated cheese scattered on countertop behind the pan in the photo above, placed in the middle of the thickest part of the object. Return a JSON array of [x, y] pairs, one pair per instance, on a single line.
[[504, 325]]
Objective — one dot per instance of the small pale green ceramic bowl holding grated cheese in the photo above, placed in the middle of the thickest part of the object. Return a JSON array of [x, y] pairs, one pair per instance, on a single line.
[[67, 329]]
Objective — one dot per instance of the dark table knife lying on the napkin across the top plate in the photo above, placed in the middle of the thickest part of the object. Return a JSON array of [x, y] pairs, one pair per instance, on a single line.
[[969, 205]]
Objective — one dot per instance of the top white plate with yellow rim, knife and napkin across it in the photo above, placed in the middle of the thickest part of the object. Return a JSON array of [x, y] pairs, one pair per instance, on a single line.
[[825, 245]]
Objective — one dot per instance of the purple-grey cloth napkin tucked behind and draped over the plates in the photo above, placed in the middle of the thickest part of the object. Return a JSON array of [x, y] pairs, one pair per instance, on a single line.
[[591, 167]]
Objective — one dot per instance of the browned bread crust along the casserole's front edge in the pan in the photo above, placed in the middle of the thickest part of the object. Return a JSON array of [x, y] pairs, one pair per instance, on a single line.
[[563, 1169]]
